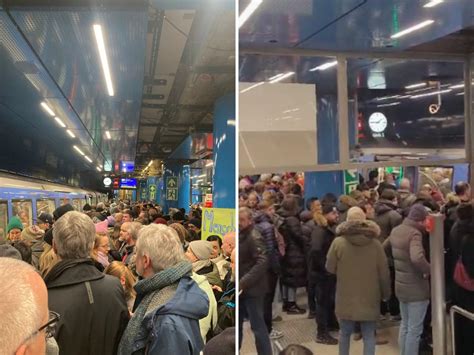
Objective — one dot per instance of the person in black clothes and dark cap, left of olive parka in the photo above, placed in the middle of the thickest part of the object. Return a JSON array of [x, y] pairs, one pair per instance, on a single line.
[[323, 282]]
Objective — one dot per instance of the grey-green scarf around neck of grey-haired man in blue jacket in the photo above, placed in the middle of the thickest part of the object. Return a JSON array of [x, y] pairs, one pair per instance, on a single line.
[[146, 289]]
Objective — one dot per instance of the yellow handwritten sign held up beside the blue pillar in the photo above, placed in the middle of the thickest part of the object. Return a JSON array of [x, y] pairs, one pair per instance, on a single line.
[[217, 221]]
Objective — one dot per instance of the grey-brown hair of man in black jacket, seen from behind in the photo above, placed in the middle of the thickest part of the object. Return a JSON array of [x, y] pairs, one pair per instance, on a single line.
[[74, 236]]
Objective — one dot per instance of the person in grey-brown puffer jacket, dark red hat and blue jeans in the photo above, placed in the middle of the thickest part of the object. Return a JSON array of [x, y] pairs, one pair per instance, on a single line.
[[412, 271]]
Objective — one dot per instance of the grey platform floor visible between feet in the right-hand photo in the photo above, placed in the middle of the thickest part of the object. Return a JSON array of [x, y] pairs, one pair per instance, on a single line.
[[298, 329]]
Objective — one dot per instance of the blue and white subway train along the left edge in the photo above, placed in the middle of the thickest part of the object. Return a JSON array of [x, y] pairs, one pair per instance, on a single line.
[[27, 198]]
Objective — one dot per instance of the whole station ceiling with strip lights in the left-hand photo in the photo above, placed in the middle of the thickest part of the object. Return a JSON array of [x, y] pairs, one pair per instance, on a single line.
[[60, 116]]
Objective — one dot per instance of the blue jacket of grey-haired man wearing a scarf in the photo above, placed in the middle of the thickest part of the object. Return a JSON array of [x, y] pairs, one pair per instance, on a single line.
[[174, 327]]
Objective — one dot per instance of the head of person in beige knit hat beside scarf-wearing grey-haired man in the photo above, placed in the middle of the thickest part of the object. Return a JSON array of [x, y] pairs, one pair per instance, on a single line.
[[199, 253]]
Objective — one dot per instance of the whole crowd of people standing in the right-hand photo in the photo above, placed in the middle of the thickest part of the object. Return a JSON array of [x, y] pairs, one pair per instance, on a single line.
[[362, 258]]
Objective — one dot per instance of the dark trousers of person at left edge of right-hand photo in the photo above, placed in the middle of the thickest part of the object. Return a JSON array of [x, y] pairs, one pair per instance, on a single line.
[[252, 308]]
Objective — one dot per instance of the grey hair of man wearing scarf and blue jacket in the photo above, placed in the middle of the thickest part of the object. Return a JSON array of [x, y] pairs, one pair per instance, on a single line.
[[161, 244]]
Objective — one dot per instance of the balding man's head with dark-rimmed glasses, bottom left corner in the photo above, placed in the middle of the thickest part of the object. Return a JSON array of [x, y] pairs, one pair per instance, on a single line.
[[25, 324]]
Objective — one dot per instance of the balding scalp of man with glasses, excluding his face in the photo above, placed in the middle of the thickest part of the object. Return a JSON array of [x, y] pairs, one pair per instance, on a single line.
[[21, 314]]
